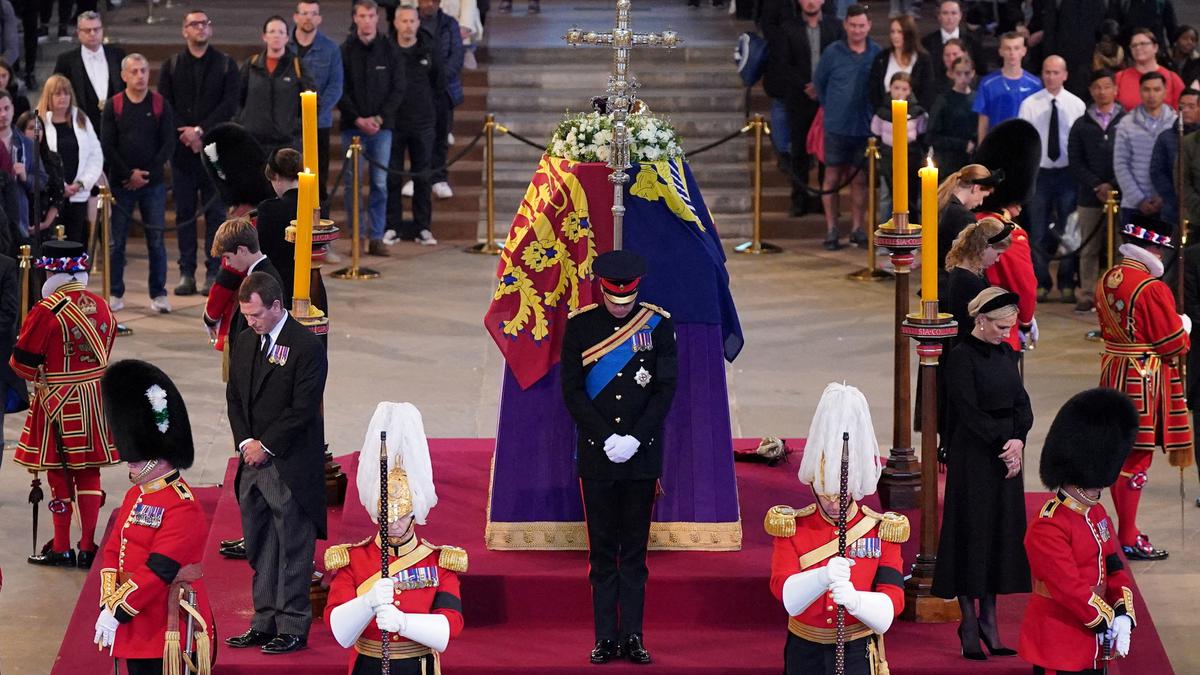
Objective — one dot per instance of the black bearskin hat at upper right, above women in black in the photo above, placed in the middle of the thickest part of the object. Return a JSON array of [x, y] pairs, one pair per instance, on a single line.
[[1016, 148]]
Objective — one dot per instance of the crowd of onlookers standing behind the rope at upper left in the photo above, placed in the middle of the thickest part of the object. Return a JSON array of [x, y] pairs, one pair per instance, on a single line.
[[394, 77]]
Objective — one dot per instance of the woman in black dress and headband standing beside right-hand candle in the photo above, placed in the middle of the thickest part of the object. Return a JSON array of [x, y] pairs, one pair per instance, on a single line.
[[981, 553]]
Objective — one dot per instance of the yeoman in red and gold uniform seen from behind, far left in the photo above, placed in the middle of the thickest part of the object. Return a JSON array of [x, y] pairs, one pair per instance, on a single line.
[[63, 350]]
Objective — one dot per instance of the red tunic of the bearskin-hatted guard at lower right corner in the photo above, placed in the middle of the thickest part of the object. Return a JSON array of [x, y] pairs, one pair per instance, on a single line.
[[1081, 586]]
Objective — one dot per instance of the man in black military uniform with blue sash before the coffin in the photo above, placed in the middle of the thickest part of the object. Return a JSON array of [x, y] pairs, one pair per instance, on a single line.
[[619, 372]]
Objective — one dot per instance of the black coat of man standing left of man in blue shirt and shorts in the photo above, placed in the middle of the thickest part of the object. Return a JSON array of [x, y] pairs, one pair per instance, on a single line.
[[789, 58]]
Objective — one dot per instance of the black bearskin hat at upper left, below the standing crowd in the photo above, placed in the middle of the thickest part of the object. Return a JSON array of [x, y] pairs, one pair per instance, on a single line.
[[236, 162]]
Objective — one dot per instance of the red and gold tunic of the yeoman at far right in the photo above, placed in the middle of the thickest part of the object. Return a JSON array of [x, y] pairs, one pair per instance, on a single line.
[[1144, 341]]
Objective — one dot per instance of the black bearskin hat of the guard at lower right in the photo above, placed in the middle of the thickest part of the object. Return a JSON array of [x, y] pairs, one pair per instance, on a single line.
[[1089, 440]]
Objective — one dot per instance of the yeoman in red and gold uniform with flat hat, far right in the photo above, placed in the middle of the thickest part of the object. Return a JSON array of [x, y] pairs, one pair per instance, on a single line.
[[1144, 343]]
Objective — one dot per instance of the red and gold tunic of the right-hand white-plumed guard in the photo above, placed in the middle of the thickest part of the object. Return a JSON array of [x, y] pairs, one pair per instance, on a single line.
[[873, 542]]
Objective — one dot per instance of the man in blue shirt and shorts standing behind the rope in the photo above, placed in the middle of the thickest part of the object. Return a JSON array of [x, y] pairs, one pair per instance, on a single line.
[[842, 86]]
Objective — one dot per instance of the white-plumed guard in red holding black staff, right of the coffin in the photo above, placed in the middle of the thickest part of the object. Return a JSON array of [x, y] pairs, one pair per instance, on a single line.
[[807, 574]]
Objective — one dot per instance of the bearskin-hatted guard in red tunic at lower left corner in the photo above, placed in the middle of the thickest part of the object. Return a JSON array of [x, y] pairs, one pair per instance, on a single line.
[[154, 607]]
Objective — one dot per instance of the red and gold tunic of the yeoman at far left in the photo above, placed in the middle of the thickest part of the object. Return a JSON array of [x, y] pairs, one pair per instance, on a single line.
[[70, 334]]
